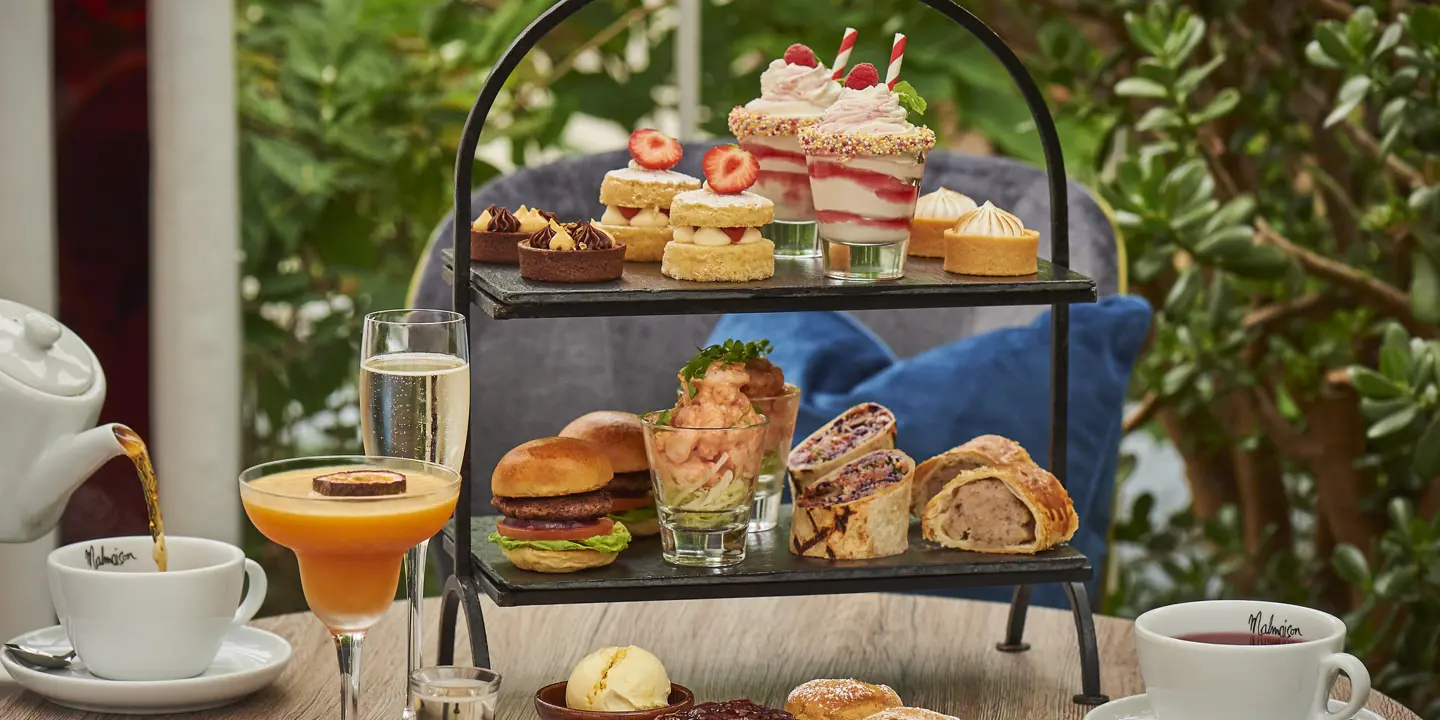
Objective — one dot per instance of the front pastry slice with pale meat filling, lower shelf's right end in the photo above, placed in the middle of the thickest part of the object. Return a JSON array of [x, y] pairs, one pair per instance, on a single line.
[[1017, 509]]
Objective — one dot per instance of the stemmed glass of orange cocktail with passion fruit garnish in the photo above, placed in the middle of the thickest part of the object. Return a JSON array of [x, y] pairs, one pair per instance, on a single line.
[[349, 548]]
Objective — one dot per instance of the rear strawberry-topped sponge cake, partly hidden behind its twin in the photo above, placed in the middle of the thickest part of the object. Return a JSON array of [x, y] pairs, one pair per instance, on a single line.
[[637, 198]]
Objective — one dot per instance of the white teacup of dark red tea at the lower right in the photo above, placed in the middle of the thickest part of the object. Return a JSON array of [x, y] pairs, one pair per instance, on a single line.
[[1205, 680]]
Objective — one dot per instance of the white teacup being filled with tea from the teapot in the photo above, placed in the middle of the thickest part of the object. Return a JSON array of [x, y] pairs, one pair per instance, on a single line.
[[129, 621]]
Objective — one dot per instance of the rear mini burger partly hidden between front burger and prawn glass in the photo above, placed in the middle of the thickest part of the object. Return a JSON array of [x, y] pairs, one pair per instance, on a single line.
[[623, 438]]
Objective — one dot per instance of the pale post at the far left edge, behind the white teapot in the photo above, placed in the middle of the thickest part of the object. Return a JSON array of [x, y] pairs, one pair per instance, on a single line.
[[27, 253]]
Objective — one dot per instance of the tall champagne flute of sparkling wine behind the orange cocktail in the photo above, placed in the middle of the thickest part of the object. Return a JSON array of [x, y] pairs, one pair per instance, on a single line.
[[415, 404]]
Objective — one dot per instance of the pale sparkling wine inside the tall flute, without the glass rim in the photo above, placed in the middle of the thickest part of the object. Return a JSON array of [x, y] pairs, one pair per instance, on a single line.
[[414, 405]]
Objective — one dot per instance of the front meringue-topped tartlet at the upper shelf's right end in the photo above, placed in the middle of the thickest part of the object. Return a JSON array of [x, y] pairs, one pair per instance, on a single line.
[[989, 241]]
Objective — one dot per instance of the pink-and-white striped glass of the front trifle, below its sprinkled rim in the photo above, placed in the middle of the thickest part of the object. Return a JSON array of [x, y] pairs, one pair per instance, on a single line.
[[865, 207]]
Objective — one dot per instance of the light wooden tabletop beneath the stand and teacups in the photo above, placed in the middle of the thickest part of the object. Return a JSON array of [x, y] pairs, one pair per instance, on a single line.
[[937, 653]]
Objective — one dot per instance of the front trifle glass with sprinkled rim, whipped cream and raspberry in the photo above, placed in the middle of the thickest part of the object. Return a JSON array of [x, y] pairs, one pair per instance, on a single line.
[[866, 162]]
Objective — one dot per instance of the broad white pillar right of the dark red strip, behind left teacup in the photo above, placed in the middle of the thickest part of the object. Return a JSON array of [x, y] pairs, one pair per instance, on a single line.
[[195, 323]]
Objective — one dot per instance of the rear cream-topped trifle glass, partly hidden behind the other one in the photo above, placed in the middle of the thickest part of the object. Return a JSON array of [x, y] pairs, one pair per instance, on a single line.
[[794, 93]]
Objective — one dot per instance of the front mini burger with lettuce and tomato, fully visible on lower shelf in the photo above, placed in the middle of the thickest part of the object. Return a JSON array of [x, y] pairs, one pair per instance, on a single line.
[[552, 493]]
